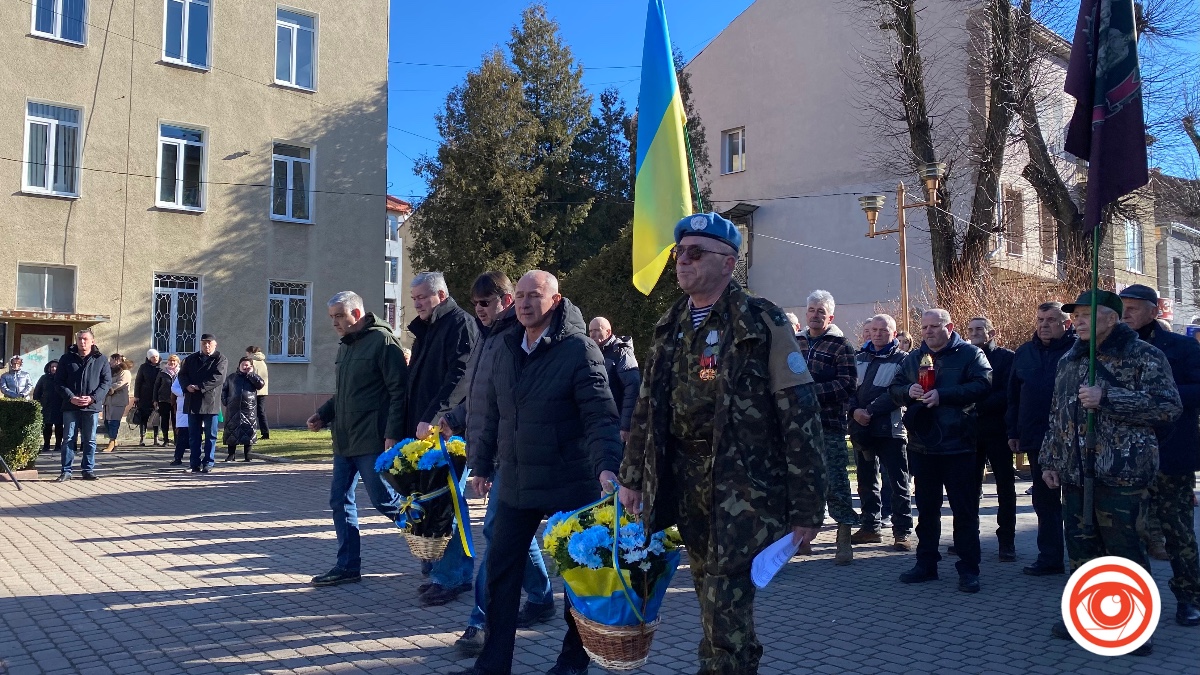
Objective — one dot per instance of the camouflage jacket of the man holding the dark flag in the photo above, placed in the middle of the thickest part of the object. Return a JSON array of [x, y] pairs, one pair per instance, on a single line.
[[1139, 393]]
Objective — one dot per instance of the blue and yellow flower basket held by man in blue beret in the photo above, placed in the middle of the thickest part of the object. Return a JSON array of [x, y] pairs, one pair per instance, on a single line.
[[615, 578]]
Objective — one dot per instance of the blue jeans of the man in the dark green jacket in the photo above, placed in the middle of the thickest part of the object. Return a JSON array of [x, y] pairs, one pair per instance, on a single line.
[[346, 512]]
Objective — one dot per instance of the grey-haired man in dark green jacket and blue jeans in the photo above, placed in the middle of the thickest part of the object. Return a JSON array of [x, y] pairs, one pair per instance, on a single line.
[[367, 416]]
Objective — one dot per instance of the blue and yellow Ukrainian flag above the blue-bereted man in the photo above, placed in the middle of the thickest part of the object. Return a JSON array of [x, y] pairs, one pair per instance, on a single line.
[[662, 194]]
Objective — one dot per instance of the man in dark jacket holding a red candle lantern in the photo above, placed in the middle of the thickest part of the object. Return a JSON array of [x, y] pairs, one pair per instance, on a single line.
[[943, 444]]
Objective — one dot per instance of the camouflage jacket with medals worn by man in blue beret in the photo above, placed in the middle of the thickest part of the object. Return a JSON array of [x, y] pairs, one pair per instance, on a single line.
[[769, 467]]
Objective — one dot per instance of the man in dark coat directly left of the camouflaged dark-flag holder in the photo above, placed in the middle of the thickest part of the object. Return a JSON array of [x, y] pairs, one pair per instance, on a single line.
[[1028, 417]]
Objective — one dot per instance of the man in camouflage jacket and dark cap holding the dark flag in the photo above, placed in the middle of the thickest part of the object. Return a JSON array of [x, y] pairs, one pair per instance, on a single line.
[[1135, 392]]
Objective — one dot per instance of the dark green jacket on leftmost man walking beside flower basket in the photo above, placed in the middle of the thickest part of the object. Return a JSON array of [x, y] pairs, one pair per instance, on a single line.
[[369, 395]]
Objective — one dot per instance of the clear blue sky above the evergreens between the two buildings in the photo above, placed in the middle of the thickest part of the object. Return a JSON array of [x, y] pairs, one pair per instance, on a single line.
[[607, 38]]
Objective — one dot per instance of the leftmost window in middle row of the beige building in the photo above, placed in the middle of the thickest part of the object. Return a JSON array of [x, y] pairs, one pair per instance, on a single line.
[[52, 151]]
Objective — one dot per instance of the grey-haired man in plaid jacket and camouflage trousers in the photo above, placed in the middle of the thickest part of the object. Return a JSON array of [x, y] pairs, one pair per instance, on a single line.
[[831, 359]]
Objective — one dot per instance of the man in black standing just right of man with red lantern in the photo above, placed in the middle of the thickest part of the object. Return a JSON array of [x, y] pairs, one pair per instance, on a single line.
[[993, 437]]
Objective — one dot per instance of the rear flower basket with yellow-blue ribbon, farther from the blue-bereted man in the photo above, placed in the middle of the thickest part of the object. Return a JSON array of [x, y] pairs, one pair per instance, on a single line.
[[427, 474]]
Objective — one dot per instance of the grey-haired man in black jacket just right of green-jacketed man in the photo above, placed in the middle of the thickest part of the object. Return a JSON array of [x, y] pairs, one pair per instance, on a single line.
[[445, 336]]
